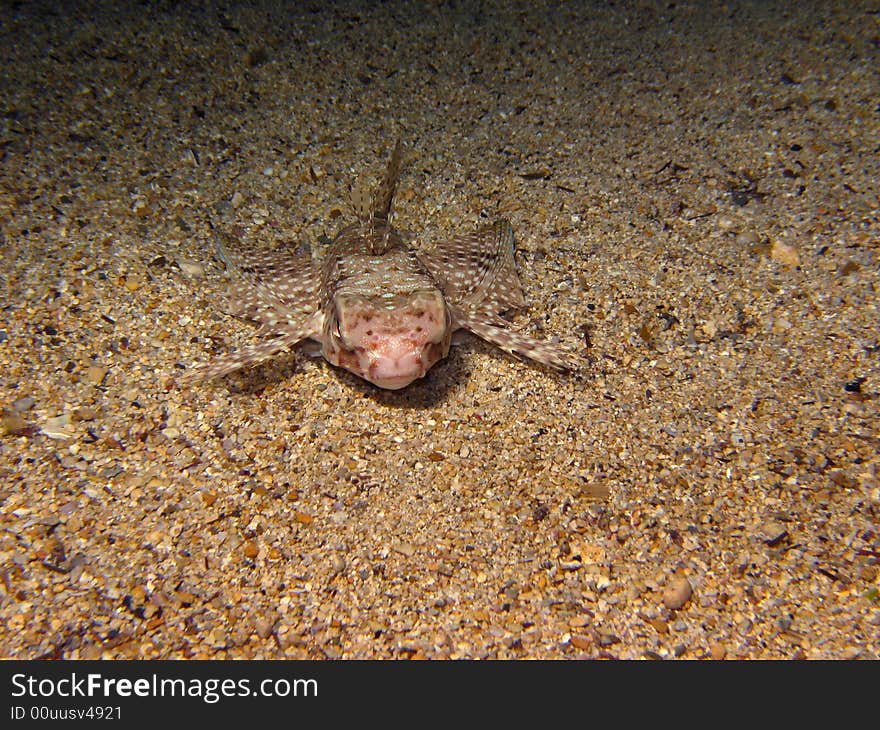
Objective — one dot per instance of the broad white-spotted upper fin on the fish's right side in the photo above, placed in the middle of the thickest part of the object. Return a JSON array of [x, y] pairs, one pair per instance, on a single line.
[[478, 270]]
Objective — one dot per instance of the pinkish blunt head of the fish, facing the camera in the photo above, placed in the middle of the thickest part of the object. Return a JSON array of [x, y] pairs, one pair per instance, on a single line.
[[391, 339]]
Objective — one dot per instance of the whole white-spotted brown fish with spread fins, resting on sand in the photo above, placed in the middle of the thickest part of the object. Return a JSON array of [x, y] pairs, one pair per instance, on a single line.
[[379, 308]]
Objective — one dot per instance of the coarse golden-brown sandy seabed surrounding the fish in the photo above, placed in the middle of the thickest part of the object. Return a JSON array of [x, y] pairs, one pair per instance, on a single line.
[[694, 191]]
